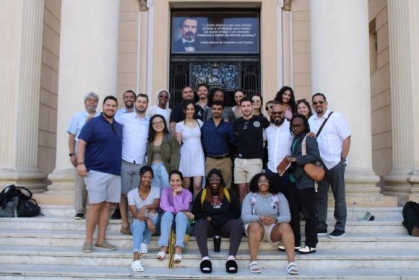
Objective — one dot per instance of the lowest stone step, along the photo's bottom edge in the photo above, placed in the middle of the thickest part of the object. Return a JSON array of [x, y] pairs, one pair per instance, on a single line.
[[70, 272]]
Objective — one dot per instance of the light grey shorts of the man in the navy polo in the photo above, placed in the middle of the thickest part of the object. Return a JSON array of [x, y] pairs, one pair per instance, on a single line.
[[103, 187]]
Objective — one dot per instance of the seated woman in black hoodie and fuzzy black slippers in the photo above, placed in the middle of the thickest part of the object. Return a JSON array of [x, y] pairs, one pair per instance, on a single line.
[[217, 212]]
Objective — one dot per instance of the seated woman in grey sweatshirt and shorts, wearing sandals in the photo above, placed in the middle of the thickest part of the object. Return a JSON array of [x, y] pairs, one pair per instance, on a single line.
[[266, 214]]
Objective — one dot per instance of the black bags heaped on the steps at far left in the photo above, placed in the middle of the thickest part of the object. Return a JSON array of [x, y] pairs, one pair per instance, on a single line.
[[26, 206]]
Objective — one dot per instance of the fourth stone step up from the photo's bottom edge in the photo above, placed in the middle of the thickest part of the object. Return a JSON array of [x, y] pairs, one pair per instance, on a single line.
[[66, 224]]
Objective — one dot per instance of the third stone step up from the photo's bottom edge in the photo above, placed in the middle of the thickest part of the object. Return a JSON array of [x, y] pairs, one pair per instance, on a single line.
[[76, 238]]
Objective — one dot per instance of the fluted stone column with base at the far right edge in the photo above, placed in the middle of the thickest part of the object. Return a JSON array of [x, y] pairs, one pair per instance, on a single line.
[[403, 180]]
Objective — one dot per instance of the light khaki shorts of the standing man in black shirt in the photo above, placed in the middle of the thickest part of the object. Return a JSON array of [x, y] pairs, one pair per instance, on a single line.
[[245, 169]]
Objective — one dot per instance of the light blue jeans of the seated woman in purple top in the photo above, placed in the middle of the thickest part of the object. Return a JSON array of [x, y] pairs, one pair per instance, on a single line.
[[181, 224]]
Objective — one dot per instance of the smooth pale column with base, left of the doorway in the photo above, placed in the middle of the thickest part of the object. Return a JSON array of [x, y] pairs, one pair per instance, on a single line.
[[88, 62]]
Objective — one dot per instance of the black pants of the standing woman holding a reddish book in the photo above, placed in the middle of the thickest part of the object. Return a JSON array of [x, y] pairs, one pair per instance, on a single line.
[[305, 200]]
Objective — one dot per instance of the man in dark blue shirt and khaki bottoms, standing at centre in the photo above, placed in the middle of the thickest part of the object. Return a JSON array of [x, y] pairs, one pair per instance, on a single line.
[[217, 135]]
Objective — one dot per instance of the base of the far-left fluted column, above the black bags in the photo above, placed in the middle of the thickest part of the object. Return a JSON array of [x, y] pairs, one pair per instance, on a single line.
[[29, 177]]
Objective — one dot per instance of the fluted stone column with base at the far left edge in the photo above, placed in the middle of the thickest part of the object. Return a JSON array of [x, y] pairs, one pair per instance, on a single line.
[[21, 24]]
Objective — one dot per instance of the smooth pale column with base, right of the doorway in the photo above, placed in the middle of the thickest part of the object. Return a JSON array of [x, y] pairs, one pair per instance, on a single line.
[[340, 70]]
